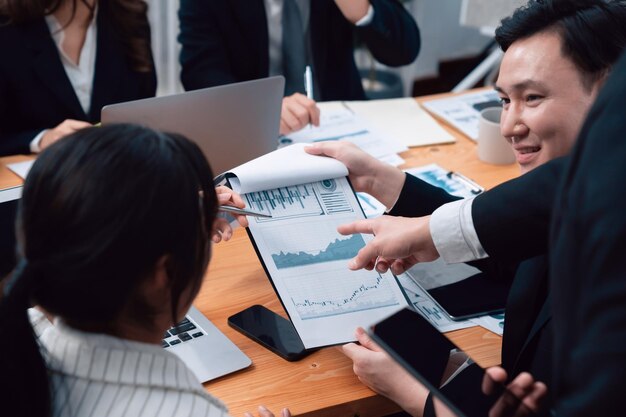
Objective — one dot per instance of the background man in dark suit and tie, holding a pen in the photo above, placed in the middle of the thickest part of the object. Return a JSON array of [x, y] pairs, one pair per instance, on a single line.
[[225, 42]]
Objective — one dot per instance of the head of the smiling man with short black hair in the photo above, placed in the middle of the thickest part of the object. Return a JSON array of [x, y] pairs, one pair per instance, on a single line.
[[552, 71]]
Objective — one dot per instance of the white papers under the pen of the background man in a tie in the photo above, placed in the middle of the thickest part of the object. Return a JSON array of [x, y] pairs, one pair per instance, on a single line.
[[342, 124]]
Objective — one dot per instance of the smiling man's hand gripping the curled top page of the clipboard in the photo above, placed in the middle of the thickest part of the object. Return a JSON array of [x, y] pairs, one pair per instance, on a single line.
[[367, 174]]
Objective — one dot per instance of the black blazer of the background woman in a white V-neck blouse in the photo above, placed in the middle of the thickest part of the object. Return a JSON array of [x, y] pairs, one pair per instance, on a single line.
[[35, 93]]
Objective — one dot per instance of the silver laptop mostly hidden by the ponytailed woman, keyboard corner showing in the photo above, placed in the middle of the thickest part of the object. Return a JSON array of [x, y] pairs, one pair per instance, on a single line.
[[206, 351]]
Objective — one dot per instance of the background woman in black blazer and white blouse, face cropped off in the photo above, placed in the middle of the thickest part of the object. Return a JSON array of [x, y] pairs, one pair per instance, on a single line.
[[63, 60]]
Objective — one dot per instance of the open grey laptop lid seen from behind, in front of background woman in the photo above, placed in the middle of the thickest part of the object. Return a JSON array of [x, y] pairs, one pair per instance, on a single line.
[[232, 124]]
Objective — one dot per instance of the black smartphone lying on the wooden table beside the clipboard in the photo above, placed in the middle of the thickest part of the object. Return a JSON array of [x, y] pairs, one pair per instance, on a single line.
[[271, 331]]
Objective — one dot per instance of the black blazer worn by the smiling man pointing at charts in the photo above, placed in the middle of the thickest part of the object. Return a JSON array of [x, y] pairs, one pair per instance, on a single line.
[[527, 341]]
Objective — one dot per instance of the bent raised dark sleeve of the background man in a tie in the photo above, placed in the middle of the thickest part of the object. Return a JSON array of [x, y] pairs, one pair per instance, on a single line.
[[392, 36]]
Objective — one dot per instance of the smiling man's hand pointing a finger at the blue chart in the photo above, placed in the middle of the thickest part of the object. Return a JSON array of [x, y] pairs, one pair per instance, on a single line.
[[399, 243]]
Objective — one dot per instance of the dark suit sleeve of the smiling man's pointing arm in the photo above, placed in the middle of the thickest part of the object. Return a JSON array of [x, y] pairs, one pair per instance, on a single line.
[[512, 220]]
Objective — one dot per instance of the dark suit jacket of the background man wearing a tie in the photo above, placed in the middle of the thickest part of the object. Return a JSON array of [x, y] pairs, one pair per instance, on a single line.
[[227, 41]]
